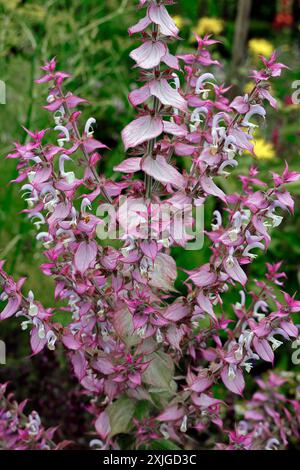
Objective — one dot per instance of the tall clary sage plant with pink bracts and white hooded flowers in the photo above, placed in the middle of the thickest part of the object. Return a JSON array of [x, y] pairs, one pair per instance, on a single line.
[[159, 365]]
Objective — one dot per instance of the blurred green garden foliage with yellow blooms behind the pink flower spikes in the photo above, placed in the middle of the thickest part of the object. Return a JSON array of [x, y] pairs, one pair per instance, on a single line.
[[90, 41]]
